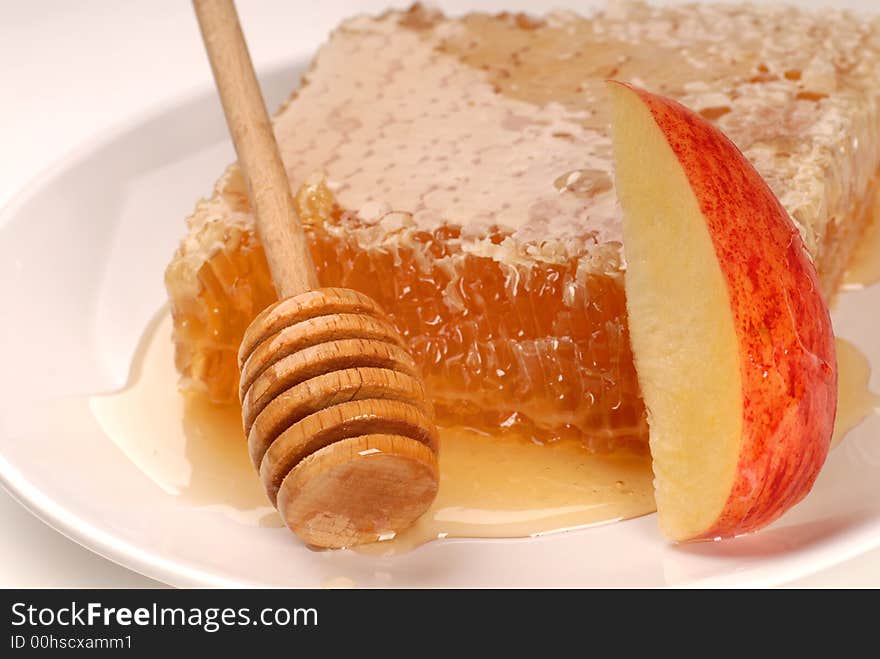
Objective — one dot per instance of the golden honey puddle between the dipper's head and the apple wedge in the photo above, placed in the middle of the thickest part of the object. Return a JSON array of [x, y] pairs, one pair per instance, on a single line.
[[494, 487]]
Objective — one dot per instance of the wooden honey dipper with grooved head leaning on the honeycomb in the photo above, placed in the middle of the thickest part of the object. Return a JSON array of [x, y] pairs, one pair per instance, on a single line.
[[335, 412]]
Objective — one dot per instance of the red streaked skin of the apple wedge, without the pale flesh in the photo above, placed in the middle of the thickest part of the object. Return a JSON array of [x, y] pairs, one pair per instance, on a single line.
[[786, 343]]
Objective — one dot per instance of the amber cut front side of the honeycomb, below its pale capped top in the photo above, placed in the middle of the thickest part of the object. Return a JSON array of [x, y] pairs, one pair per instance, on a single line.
[[504, 357]]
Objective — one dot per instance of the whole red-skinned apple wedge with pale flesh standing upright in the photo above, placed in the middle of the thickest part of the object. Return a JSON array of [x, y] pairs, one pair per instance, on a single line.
[[732, 340]]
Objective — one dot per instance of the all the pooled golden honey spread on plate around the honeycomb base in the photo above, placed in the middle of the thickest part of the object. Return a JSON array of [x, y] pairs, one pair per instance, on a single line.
[[490, 487]]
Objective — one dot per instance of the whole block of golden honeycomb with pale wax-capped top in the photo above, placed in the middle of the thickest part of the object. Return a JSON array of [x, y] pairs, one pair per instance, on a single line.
[[459, 171]]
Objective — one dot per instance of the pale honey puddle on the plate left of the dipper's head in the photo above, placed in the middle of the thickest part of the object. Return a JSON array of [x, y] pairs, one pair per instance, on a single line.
[[190, 448]]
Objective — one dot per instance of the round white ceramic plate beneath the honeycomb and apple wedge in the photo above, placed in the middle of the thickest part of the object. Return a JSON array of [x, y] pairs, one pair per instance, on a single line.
[[82, 254]]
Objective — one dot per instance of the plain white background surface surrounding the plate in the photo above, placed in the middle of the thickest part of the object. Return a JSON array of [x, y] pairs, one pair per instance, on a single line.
[[71, 69]]
